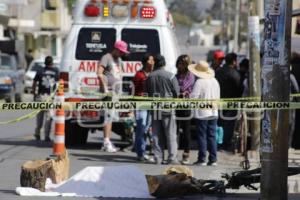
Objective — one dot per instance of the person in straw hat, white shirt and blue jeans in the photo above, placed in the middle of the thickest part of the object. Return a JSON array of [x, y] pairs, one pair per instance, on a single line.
[[206, 87]]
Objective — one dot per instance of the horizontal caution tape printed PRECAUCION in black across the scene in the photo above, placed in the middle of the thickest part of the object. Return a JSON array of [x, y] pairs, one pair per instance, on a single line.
[[149, 105]]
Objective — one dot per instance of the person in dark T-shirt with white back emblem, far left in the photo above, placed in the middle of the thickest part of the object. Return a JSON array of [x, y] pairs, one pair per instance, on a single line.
[[43, 85]]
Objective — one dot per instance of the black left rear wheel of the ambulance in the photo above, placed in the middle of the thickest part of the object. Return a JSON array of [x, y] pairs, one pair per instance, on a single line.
[[75, 135]]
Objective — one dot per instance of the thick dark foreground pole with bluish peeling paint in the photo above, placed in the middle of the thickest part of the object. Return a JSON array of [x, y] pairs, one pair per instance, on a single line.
[[276, 87]]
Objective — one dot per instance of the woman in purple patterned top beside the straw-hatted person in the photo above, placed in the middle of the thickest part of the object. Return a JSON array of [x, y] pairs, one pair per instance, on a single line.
[[186, 82]]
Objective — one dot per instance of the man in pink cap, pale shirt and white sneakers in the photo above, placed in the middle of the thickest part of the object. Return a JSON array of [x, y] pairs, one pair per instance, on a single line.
[[110, 75]]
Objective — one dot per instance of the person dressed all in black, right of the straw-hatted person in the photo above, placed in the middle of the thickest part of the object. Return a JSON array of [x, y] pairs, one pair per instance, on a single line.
[[230, 83]]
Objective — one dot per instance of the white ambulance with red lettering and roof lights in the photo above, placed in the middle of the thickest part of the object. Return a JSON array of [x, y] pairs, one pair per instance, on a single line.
[[146, 25]]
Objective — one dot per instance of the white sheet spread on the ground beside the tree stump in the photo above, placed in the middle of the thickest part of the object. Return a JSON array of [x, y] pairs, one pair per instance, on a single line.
[[120, 181]]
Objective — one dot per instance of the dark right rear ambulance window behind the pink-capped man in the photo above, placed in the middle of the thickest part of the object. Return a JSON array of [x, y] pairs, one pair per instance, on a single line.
[[141, 41]]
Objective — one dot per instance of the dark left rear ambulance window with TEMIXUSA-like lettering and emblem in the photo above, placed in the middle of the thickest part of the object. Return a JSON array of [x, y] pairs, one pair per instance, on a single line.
[[93, 43]]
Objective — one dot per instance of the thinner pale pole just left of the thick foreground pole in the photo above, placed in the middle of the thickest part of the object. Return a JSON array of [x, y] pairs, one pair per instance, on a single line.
[[255, 69]]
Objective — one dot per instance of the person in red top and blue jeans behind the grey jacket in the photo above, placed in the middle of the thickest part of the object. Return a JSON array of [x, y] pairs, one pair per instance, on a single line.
[[143, 118]]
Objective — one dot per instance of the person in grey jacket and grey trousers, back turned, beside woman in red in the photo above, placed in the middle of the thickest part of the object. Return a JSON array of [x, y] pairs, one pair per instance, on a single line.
[[163, 84]]
